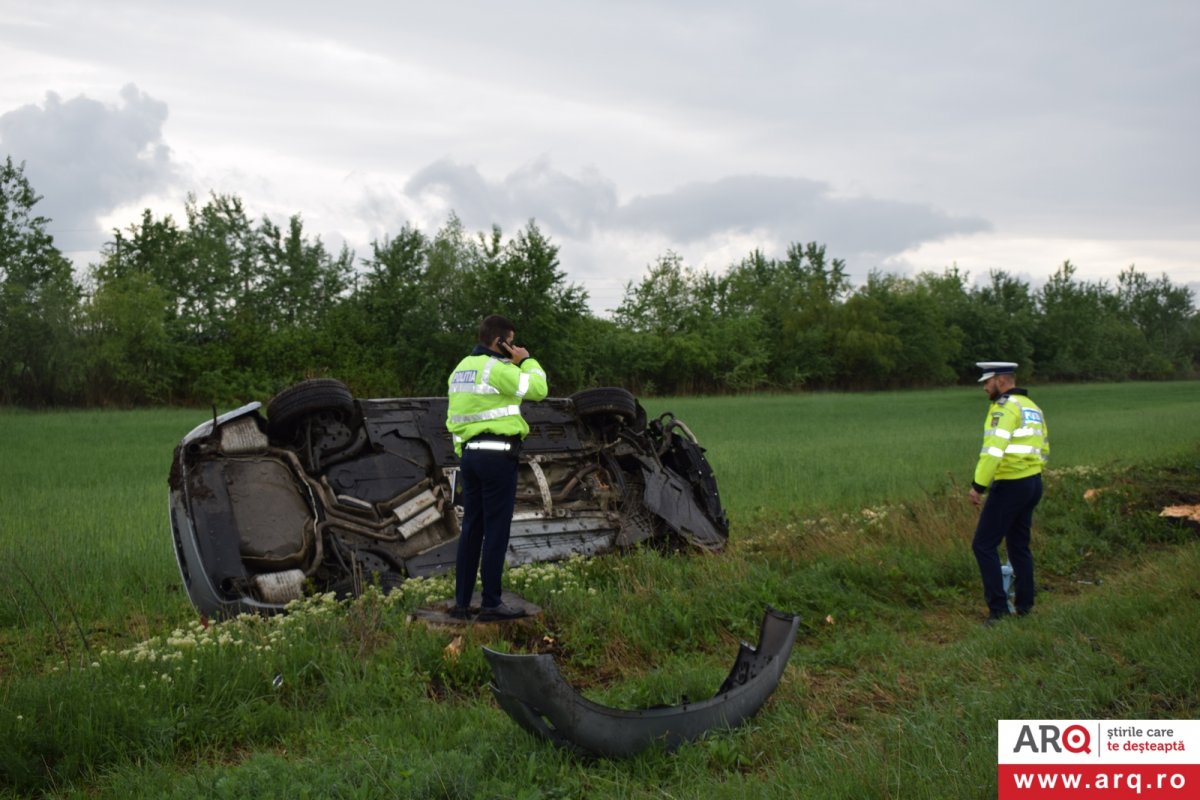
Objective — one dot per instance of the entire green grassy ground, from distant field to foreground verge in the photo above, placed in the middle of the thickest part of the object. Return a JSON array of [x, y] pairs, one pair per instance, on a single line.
[[109, 688]]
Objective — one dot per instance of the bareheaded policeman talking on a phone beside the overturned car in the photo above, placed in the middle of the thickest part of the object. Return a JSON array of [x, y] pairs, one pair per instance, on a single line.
[[484, 418]]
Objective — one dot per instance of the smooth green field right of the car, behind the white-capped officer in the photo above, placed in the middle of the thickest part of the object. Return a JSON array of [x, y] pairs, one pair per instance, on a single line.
[[790, 454]]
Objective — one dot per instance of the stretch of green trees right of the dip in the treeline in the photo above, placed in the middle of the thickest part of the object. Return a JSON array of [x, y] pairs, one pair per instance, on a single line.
[[797, 322]]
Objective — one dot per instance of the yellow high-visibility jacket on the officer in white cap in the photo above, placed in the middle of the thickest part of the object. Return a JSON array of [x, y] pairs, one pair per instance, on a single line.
[[1016, 441]]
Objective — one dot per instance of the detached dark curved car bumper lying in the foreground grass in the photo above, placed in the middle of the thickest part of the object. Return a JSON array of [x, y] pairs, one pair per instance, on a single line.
[[532, 691]]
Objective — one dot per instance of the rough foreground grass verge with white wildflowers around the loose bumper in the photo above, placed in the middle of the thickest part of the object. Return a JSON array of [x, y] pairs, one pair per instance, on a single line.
[[893, 689]]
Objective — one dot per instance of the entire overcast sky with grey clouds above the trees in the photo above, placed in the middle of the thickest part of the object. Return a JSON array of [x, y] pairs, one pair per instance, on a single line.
[[904, 136]]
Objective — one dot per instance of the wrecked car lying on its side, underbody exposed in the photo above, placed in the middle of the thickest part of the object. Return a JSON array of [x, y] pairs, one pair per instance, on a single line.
[[332, 494]]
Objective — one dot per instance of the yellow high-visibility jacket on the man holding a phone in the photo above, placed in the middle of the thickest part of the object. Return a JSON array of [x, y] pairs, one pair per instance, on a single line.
[[485, 396]]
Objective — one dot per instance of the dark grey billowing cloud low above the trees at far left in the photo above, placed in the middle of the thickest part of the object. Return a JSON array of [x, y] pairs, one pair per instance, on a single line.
[[87, 159]]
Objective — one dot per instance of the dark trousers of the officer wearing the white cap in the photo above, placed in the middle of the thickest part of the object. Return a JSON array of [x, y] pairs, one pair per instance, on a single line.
[[1007, 515]]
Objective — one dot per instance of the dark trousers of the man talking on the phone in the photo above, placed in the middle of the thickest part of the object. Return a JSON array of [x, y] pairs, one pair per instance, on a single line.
[[490, 492]]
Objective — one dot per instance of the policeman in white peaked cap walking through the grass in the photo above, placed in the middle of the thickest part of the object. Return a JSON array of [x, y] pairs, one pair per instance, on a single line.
[[1016, 446]]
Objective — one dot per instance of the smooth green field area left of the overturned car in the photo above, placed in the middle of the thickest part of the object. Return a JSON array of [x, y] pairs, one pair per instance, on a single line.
[[83, 524]]
